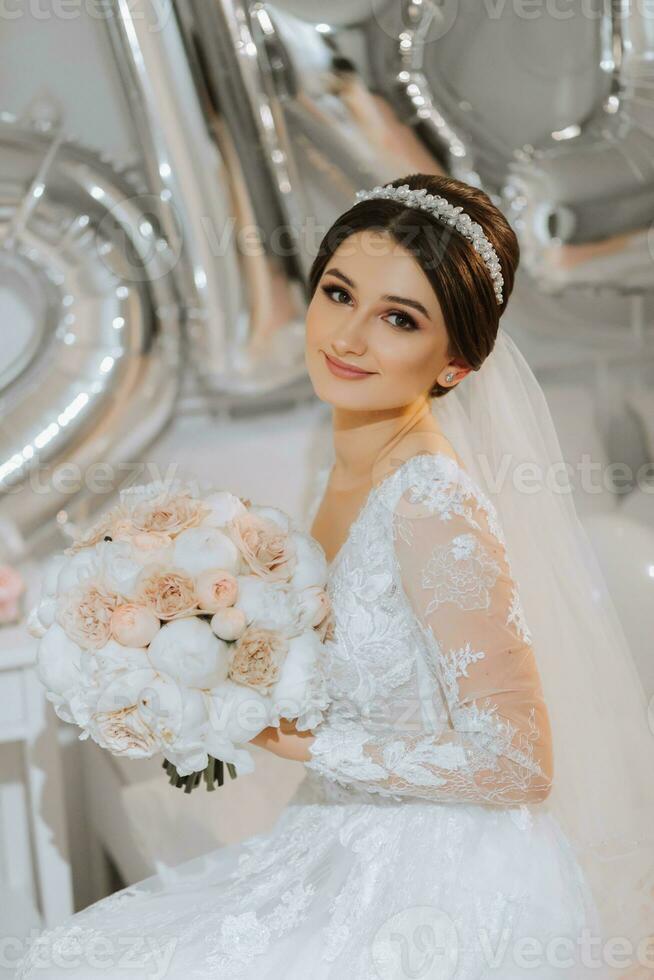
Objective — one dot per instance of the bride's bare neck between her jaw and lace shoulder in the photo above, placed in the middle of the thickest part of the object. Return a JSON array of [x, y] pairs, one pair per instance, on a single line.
[[363, 439]]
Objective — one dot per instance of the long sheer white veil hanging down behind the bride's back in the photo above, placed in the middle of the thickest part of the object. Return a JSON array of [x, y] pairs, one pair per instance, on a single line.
[[498, 421]]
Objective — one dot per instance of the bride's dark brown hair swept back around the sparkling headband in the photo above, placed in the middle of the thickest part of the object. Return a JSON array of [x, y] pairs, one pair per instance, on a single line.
[[457, 273]]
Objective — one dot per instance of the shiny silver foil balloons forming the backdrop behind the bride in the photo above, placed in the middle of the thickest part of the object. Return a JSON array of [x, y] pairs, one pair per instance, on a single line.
[[257, 122]]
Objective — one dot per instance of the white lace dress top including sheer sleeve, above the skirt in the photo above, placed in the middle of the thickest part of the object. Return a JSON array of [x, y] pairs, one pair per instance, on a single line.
[[434, 690]]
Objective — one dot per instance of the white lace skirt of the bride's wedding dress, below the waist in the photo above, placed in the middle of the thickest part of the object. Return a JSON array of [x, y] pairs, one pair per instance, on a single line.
[[348, 886]]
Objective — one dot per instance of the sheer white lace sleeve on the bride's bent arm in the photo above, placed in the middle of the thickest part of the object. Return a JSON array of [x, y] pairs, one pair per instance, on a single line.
[[496, 746]]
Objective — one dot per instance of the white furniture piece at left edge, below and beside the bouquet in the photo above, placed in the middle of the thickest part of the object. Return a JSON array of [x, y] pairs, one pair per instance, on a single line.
[[34, 857]]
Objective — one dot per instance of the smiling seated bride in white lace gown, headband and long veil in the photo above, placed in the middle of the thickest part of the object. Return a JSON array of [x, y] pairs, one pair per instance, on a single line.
[[478, 799]]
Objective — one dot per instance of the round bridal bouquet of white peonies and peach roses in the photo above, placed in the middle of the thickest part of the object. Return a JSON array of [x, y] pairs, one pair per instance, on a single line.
[[184, 624]]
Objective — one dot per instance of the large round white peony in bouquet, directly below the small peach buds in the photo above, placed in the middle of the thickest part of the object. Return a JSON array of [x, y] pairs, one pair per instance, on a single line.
[[190, 652]]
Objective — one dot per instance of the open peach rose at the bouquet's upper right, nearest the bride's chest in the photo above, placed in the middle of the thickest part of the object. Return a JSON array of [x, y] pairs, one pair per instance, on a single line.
[[265, 546]]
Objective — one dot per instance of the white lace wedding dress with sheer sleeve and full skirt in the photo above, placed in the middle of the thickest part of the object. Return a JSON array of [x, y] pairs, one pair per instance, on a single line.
[[420, 843]]
